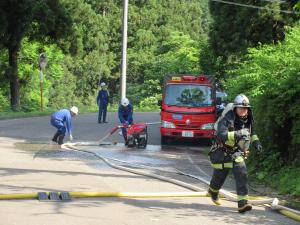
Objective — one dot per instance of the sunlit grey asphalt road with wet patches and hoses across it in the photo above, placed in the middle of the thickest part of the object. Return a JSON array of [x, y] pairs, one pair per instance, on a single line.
[[29, 162]]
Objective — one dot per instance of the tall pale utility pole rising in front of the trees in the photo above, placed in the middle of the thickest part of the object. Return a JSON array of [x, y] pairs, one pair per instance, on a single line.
[[124, 48]]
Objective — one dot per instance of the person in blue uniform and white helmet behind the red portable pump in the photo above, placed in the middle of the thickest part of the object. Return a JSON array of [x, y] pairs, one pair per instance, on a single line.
[[125, 112]]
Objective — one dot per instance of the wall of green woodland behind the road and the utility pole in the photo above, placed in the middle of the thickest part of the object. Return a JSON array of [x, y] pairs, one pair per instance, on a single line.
[[163, 37]]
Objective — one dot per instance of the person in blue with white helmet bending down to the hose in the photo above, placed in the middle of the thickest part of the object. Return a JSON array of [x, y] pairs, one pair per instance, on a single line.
[[62, 120]]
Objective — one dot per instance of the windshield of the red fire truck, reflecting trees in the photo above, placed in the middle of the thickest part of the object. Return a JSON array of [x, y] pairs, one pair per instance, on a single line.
[[188, 95]]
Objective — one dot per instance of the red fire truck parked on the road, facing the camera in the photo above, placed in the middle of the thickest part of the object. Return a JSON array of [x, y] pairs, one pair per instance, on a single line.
[[188, 107]]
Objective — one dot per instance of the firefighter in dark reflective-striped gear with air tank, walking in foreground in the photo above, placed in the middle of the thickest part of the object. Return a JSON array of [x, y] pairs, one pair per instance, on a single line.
[[234, 134]]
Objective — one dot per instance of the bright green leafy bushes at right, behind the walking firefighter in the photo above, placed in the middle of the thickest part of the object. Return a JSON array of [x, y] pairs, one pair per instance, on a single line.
[[270, 75]]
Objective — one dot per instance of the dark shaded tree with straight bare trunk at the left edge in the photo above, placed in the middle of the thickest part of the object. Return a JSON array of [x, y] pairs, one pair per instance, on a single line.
[[27, 17]]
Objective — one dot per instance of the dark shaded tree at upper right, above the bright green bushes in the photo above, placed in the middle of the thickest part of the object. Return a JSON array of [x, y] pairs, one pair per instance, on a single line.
[[236, 28]]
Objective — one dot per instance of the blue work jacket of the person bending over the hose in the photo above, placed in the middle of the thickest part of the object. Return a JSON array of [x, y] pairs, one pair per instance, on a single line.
[[62, 120]]
